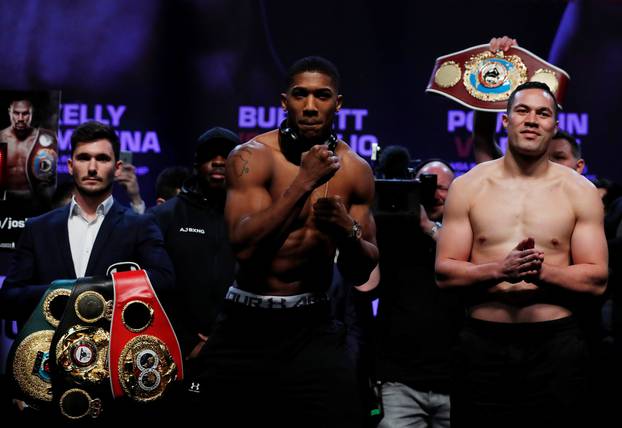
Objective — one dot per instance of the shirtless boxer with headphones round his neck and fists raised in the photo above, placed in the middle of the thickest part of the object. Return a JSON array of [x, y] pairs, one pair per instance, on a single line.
[[295, 195]]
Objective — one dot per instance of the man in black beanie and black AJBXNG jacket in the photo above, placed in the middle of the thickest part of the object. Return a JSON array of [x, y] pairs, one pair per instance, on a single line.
[[196, 239]]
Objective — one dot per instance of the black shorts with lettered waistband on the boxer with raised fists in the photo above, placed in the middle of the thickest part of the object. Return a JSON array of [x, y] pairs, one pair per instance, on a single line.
[[265, 351]]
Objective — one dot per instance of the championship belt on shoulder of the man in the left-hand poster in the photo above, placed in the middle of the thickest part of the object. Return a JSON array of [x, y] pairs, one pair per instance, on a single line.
[[42, 161]]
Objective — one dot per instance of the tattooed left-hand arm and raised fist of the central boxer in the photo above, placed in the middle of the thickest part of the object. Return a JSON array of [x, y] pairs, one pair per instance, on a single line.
[[257, 220]]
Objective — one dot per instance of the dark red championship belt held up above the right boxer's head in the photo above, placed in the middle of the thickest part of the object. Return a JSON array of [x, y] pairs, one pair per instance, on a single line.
[[482, 80]]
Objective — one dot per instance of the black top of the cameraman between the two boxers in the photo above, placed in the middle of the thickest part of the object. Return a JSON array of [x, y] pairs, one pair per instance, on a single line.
[[418, 322]]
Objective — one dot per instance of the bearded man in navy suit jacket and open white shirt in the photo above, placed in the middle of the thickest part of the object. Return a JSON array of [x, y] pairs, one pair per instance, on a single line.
[[86, 236]]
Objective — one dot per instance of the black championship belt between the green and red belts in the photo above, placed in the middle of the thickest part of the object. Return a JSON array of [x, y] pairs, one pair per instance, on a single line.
[[80, 348]]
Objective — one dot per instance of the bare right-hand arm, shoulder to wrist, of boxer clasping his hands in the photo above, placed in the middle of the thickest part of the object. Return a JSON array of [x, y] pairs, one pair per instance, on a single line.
[[588, 271]]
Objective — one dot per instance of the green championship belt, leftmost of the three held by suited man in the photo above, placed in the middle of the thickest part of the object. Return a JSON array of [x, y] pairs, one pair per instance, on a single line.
[[29, 357]]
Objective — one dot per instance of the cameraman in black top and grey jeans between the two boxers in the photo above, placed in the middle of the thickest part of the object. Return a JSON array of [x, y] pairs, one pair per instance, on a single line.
[[418, 322]]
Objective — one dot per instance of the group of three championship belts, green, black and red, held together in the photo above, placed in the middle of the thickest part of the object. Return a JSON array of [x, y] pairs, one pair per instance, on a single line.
[[94, 344]]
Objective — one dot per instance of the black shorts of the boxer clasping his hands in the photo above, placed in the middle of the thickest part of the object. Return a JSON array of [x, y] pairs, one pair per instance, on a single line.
[[520, 374]]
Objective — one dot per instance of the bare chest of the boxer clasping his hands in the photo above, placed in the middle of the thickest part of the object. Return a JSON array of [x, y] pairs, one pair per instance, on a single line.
[[505, 213]]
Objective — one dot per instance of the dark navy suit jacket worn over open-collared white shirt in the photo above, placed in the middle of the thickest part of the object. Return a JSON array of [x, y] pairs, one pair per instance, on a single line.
[[43, 255]]
